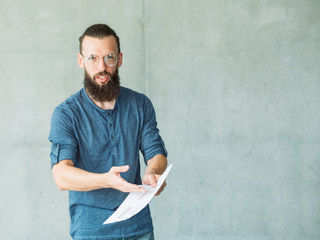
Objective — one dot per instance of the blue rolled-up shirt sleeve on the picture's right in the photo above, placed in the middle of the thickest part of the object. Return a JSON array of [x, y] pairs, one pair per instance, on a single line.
[[151, 141]]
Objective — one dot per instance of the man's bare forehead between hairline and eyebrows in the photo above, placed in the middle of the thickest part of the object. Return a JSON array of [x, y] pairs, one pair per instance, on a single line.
[[99, 46]]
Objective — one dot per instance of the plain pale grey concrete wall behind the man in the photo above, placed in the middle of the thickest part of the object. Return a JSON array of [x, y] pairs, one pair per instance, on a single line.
[[236, 88]]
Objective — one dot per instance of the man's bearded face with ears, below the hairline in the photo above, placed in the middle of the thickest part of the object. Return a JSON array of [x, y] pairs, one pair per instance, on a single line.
[[101, 81]]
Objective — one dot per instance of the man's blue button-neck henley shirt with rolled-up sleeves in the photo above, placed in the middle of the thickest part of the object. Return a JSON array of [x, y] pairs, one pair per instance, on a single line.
[[96, 140]]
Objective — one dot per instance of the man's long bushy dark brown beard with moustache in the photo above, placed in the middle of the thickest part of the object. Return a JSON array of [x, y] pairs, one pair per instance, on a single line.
[[105, 92]]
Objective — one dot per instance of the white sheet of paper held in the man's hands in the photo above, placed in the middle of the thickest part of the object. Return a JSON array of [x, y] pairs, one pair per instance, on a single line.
[[135, 202]]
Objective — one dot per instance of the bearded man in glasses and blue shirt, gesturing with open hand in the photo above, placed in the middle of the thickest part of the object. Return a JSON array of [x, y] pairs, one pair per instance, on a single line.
[[96, 135]]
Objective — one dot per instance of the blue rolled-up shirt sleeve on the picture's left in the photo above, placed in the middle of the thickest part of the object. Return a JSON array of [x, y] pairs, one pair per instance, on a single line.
[[62, 137]]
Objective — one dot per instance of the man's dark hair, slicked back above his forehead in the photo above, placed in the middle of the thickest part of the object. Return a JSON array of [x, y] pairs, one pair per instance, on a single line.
[[99, 31]]
